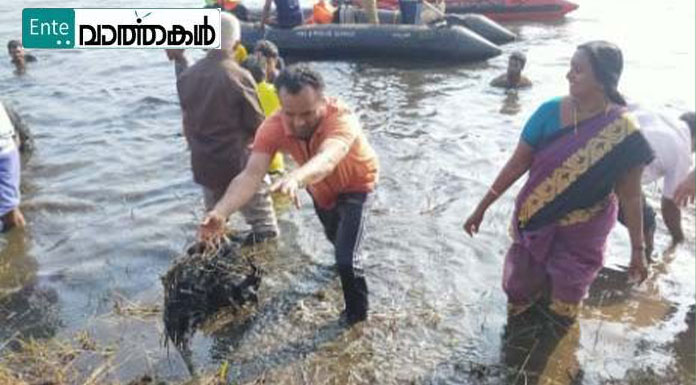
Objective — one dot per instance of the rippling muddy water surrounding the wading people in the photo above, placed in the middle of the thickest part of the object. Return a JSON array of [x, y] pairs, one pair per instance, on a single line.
[[110, 203]]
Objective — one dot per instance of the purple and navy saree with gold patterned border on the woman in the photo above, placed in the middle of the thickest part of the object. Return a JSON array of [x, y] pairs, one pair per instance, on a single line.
[[567, 208]]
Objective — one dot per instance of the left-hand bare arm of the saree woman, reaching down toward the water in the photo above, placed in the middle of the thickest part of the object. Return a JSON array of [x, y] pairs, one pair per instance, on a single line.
[[516, 166]]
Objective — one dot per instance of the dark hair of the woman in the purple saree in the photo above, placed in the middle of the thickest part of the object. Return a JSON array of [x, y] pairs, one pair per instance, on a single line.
[[607, 63]]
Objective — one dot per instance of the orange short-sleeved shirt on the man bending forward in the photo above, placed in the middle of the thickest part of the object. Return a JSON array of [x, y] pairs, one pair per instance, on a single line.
[[357, 172]]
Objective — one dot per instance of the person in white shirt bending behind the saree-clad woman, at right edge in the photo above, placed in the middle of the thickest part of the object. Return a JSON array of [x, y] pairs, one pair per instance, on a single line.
[[673, 144]]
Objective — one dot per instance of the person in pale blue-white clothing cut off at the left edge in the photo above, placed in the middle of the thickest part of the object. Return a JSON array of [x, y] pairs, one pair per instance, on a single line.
[[10, 170]]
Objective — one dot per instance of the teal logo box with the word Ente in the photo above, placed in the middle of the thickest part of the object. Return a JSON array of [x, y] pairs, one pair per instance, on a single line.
[[48, 27]]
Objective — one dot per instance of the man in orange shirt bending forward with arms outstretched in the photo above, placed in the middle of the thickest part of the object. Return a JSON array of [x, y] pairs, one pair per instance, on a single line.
[[336, 164]]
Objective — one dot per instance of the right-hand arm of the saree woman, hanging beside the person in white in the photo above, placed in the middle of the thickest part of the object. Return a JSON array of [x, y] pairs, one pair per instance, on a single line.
[[628, 188]]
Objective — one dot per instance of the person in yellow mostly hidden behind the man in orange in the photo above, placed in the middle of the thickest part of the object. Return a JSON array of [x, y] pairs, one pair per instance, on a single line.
[[268, 97]]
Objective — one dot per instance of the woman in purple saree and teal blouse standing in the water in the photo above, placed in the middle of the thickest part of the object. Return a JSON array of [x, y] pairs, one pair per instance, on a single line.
[[584, 156]]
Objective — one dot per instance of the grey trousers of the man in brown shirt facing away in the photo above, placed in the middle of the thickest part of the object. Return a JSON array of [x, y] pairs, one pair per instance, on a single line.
[[258, 212]]
